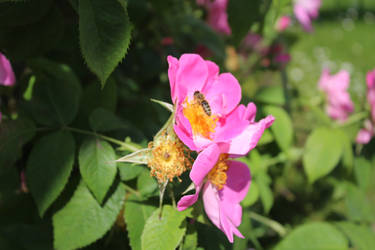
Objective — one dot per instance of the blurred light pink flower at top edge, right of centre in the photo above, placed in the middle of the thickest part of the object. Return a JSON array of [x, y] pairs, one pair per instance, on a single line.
[[305, 11]]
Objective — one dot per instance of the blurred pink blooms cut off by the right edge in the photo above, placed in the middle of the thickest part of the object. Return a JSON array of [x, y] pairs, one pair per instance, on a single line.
[[366, 133]]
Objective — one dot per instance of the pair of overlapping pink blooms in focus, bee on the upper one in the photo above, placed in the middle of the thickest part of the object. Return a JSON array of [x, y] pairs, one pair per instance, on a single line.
[[214, 125]]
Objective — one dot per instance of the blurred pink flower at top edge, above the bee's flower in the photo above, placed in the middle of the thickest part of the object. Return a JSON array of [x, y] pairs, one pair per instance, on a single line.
[[217, 15]]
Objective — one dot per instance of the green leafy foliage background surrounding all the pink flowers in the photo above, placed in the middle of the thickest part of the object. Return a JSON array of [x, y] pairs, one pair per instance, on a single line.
[[86, 71]]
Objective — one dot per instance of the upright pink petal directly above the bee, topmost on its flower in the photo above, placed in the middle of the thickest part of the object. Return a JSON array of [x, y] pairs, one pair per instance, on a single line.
[[191, 75]]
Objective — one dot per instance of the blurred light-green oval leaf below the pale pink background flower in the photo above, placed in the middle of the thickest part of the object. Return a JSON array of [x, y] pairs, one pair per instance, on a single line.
[[322, 153]]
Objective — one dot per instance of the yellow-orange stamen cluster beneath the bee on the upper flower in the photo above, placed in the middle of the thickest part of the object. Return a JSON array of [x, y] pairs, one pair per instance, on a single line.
[[200, 122]]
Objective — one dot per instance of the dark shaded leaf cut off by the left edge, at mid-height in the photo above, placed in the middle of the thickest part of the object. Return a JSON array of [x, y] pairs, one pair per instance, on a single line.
[[13, 135]]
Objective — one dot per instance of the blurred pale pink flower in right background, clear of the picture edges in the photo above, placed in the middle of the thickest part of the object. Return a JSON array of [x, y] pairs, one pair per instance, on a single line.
[[336, 89]]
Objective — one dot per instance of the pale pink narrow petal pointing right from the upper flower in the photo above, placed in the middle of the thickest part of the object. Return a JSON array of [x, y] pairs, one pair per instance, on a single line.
[[248, 139]]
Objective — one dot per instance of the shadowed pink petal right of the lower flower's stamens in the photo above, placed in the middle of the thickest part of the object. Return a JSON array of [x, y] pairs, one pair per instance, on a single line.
[[238, 182]]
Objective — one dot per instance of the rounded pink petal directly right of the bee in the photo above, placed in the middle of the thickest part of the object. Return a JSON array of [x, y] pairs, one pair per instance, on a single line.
[[224, 94]]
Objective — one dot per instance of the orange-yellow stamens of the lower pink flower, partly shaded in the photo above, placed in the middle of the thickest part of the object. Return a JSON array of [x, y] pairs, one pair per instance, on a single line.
[[218, 174]]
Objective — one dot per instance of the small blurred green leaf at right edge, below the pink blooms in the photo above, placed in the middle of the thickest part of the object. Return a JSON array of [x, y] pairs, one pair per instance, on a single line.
[[362, 172]]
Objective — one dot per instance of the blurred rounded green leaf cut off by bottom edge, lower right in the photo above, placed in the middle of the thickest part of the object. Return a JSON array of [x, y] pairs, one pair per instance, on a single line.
[[314, 236]]
